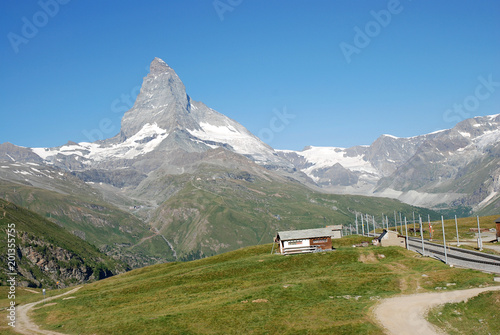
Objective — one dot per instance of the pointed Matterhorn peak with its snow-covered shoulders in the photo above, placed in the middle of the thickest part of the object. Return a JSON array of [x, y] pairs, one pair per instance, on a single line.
[[163, 119]]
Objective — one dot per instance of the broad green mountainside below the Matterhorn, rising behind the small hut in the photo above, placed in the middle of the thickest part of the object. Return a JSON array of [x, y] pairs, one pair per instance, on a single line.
[[216, 211]]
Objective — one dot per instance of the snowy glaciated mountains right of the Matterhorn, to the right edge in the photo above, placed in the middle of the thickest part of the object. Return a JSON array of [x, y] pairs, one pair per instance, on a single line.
[[449, 168]]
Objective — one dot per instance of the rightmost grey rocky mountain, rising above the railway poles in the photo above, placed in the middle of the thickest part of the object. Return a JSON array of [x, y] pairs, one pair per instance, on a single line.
[[461, 165]]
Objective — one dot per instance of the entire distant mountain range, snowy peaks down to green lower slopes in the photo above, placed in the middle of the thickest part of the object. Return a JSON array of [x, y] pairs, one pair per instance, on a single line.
[[181, 181]]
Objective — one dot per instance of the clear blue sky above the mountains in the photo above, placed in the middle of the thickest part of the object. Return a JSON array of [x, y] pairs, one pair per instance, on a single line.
[[348, 71]]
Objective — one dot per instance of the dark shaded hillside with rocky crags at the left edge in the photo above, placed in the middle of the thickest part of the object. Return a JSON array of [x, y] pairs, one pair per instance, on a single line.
[[47, 253]]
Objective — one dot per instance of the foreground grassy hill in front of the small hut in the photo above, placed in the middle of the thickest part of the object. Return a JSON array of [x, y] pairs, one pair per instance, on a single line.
[[251, 291]]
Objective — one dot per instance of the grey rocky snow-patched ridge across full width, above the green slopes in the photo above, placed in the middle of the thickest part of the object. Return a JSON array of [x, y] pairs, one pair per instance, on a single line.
[[165, 120]]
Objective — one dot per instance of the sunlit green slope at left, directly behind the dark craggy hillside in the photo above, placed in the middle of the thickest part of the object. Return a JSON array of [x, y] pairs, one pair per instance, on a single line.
[[113, 231]]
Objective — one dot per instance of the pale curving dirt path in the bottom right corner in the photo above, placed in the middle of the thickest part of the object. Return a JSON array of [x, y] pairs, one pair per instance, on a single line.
[[405, 315]]
